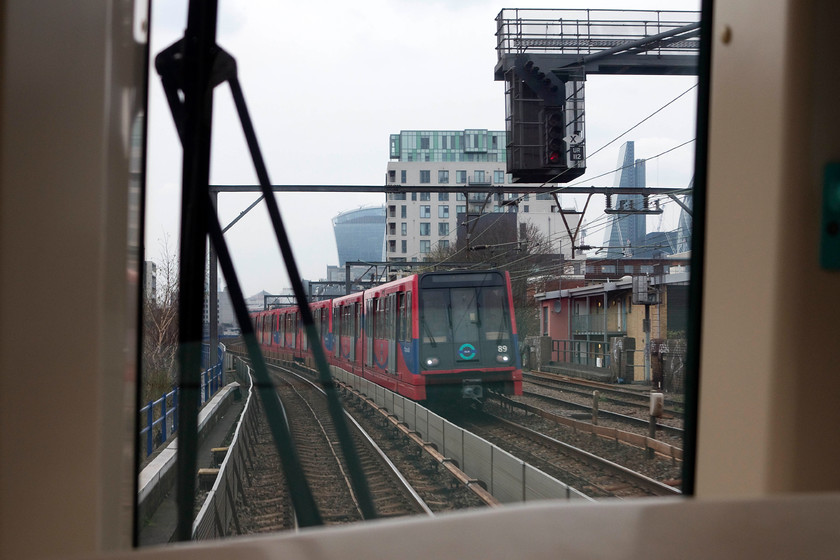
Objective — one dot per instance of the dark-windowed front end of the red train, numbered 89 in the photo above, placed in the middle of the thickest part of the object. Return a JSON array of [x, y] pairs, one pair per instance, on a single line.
[[468, 341]]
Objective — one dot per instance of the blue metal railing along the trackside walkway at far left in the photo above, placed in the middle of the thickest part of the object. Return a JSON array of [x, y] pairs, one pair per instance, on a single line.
[[212, 379]]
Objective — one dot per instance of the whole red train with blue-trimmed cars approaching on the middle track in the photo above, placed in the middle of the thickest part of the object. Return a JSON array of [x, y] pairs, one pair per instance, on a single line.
[[432, 336]]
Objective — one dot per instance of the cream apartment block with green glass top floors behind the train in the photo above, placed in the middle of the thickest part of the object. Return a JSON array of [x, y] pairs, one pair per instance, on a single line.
[[441, 161]]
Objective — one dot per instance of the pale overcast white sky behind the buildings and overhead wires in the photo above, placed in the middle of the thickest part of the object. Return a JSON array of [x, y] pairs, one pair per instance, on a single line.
[[327, 82]]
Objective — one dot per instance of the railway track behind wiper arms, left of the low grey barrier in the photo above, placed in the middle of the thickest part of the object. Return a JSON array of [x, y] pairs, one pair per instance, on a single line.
[[404, 478]]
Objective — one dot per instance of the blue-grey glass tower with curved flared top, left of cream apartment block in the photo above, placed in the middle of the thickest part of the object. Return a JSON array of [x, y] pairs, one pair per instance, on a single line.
[[360, 235]]
